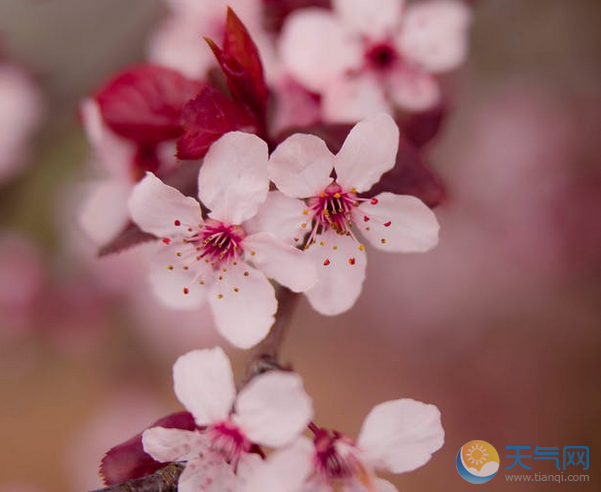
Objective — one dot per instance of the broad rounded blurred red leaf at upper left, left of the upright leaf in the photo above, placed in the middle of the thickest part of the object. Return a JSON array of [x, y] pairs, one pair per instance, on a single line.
[[144, 103]]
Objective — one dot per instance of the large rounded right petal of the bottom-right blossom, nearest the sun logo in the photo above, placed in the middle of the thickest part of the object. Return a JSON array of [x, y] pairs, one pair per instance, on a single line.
[[401, 435]]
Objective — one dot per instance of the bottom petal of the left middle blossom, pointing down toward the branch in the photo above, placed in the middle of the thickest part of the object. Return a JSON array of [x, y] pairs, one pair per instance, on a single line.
[[243, 306]]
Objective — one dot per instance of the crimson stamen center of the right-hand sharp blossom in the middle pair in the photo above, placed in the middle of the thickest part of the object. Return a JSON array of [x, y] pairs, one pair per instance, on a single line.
[[333, 209]]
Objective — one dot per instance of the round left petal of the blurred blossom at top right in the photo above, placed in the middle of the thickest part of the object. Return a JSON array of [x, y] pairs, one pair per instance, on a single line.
[[316, 48]]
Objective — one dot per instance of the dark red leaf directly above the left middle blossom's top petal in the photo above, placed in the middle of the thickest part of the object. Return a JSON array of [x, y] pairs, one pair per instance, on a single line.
[[208, 117]]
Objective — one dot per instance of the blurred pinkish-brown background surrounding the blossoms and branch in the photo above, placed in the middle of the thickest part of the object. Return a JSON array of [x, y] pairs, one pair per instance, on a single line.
[[500, 325]]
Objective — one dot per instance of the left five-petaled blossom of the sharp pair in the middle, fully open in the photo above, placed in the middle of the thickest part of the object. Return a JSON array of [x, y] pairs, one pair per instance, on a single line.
[[208, 259]]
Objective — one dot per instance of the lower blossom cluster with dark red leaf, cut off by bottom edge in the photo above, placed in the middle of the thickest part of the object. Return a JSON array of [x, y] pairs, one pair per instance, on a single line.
[[223, 437]]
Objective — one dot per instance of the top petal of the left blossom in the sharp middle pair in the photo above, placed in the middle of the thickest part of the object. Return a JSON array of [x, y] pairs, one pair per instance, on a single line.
[[233, 179]]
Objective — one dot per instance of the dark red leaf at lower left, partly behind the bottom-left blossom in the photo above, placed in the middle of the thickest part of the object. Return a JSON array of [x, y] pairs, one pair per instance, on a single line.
[[128, 460]]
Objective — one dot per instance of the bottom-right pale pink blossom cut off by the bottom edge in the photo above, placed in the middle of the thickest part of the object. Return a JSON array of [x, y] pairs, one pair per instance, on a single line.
[[397, 437]]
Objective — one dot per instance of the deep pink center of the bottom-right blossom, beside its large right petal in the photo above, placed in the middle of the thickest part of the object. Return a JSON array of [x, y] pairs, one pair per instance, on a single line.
[[330, 459]]
